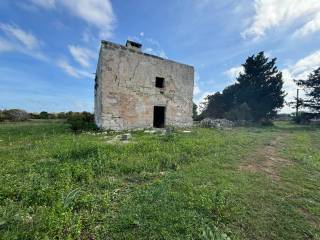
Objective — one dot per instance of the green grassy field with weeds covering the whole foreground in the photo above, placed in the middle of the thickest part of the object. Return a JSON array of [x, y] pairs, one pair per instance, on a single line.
[[243, 183]]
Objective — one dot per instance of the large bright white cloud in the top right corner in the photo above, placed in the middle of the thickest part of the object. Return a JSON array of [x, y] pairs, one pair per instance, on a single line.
[[273, 13]]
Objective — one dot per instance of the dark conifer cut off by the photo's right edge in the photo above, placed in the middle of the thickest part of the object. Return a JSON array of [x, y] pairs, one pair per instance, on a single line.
[[312, 87]]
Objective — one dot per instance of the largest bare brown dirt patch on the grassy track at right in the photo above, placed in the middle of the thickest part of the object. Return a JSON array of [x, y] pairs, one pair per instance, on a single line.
[[267, 159]]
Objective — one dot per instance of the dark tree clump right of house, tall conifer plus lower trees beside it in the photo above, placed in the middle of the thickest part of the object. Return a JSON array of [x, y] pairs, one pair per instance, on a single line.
[[256, 95]]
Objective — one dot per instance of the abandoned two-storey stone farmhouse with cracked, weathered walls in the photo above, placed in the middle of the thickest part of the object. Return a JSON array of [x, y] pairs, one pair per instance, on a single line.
[[138, 90]]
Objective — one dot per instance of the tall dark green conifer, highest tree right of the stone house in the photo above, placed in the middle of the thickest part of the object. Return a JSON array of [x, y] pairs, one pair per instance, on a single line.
[[260, 87]]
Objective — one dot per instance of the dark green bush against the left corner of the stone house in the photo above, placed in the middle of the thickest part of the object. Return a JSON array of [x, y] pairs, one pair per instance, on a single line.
[[81, 121]]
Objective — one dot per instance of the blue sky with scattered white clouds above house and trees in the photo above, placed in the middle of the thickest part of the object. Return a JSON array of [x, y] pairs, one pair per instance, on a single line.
[[49, 48]]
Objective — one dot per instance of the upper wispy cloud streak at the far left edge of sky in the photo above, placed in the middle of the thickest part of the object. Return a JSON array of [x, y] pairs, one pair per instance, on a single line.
[[24, 37]]
